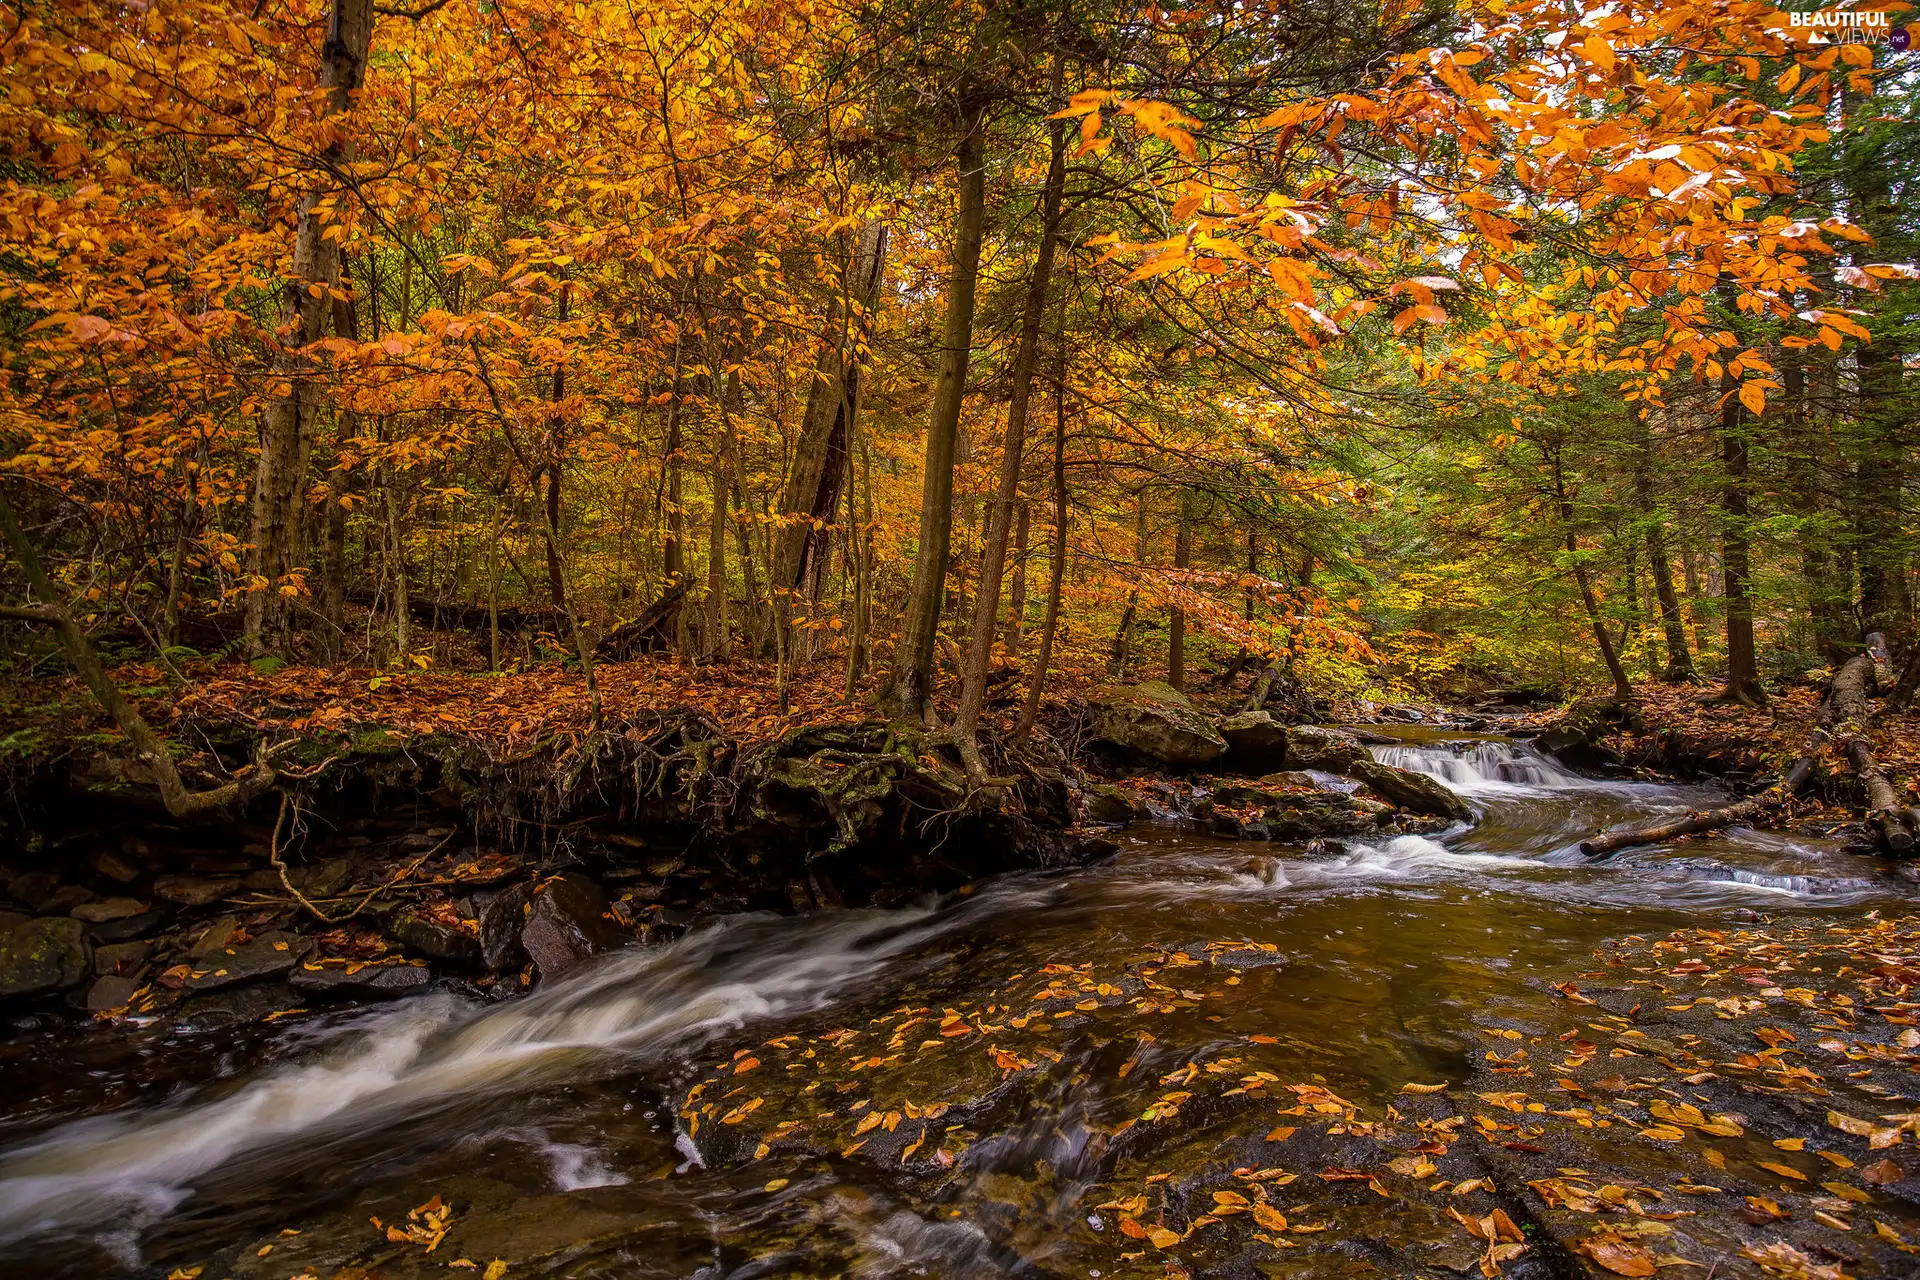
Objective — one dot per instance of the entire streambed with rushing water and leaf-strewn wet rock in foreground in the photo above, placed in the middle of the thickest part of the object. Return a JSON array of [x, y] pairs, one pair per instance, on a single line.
[[986, 1085]]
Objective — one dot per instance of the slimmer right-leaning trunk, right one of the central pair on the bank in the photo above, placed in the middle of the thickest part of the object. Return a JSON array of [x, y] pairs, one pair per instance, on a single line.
[[1001, 519]]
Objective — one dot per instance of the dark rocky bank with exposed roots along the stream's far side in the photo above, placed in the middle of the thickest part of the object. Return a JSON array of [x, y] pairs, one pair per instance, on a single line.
[[395, 865]]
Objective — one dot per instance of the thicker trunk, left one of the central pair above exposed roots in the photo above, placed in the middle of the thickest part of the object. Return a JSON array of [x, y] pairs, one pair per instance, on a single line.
[[911, 684]]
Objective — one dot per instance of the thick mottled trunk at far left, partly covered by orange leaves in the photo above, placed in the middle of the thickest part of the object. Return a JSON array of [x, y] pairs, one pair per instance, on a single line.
[[306, 312]]
